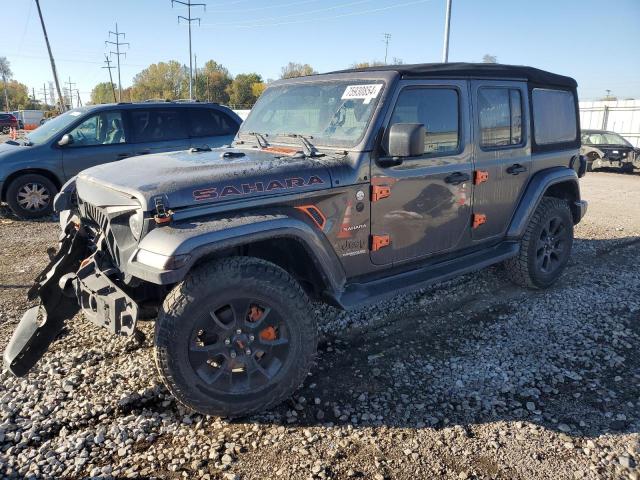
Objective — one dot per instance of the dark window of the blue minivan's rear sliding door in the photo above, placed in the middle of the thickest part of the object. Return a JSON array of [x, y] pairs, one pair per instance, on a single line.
[[157, 125]]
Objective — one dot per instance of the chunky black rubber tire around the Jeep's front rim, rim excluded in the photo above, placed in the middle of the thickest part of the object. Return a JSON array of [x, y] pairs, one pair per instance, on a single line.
[[205, 288]]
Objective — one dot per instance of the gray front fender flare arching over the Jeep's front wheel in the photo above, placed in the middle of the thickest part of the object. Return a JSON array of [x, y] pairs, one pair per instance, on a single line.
[[201, 238]]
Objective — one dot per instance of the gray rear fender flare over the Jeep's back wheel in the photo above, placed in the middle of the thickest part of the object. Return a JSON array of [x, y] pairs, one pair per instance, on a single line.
[[533, 194]]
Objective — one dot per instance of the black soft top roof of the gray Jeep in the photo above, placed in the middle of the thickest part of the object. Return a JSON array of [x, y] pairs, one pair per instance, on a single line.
[[473, 70]]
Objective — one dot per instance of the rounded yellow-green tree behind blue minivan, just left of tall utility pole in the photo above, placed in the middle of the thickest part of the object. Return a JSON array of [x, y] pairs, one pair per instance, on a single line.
[[164, 80]]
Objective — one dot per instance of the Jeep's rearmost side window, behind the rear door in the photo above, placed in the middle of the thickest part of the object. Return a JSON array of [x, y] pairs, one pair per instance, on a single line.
[[554, 116]]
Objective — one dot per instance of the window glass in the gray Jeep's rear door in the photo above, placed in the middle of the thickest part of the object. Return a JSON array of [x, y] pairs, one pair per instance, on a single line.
[[500, 114]]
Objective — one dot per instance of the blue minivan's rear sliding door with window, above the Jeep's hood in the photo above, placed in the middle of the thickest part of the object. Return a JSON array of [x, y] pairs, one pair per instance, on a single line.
[[158, 130]]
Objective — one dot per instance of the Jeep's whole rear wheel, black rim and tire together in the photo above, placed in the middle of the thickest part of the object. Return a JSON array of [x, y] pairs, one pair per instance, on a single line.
[[545, 247]]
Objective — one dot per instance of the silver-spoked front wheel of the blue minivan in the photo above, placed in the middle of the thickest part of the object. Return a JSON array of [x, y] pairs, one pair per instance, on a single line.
[[31, 196]]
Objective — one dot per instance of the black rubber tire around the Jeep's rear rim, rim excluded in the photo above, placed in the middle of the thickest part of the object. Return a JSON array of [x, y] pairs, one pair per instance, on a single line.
[[524, 269]]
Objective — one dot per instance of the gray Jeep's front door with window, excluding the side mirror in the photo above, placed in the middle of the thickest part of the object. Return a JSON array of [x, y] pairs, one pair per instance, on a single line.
[[424, 204]]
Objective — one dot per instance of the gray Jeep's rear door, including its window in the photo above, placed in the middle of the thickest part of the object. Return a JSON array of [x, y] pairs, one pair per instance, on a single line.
[[503, 152]]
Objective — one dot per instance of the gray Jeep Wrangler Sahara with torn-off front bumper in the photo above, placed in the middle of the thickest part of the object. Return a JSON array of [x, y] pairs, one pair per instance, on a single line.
[[345, 188]]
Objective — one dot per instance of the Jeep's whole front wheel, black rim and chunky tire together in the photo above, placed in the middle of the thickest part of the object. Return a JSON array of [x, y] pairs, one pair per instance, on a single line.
[[237, 336]]
